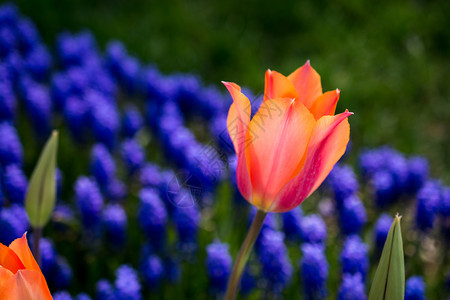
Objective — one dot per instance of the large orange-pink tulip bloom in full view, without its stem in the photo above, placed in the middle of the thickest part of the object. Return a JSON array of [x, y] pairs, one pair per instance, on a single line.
[[291, 144]]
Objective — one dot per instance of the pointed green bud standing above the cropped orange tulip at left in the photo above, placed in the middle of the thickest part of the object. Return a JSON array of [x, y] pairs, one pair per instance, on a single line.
[[40, 199]]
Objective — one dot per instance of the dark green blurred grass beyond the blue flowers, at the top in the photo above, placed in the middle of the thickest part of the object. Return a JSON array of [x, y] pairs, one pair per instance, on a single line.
[[390, 59]]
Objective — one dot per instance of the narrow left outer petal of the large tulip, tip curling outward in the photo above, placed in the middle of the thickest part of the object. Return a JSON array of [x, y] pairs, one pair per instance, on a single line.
[[237, 124]]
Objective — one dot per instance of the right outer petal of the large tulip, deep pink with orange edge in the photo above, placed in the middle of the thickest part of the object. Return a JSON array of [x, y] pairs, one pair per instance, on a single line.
[[327, 144]]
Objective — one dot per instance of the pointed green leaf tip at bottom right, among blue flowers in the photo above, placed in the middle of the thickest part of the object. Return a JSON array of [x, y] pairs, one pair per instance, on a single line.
[[389, 280]]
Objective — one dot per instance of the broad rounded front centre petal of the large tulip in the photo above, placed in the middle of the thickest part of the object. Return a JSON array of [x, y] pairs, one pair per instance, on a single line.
[[278, 136]]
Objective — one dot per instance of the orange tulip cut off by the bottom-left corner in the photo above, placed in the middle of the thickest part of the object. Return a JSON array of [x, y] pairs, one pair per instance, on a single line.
[[20, 275]]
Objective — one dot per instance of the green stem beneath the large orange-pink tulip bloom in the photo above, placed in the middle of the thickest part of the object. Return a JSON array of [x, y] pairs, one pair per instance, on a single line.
[[244, 253]]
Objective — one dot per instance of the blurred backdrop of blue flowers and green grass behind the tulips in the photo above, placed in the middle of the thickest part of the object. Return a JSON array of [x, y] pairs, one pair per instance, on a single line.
[[134, 89]]
